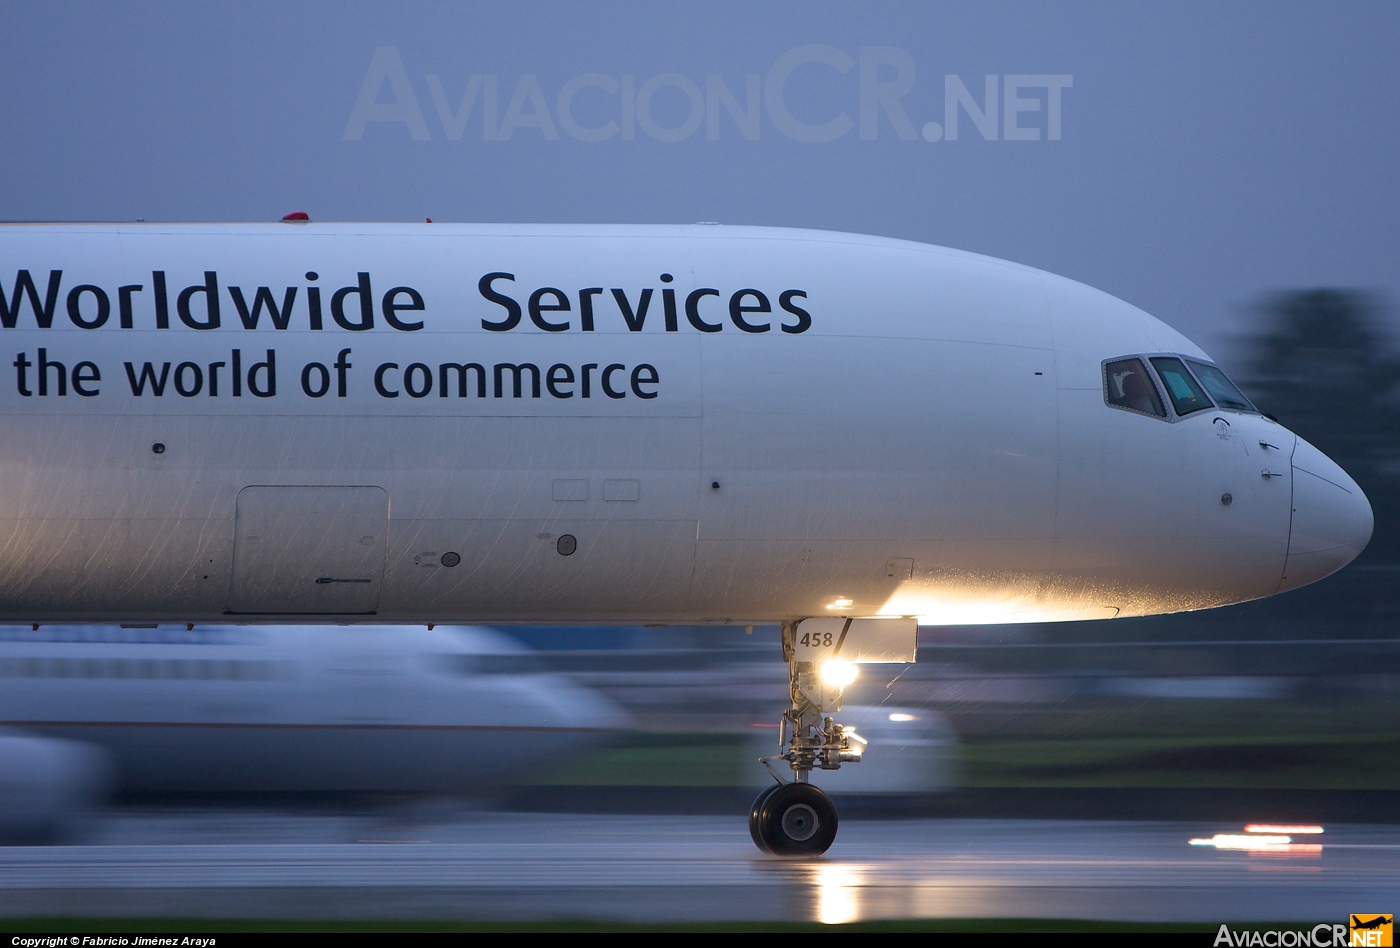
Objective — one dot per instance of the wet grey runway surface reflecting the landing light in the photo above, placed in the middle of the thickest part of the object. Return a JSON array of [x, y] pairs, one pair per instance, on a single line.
[[464, 865]]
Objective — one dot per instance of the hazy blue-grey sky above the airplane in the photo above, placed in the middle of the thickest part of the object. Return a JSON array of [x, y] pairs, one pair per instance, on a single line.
[[1210, 153]]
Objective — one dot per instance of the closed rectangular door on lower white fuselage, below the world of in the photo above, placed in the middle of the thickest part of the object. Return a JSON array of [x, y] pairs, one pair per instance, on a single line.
[[309, 551]]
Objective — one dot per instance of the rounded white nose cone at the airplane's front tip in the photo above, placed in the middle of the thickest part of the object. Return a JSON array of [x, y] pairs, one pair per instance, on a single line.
[[1332, 519]]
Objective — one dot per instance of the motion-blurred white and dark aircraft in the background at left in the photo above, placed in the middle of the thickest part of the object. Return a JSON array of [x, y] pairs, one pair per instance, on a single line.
[[274, 709]]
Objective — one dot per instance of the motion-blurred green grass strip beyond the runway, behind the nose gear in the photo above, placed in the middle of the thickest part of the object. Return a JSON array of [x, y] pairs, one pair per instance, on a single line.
[[1156, 743]]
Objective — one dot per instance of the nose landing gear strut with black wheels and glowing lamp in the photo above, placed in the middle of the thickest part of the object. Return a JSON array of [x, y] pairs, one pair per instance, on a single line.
[[797, 818]]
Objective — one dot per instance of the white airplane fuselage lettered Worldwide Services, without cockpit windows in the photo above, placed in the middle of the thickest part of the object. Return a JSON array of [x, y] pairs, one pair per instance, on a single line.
[[800, 425]]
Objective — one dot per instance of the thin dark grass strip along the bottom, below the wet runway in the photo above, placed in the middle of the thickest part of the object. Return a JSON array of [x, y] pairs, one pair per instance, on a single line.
[[236, 926]]
